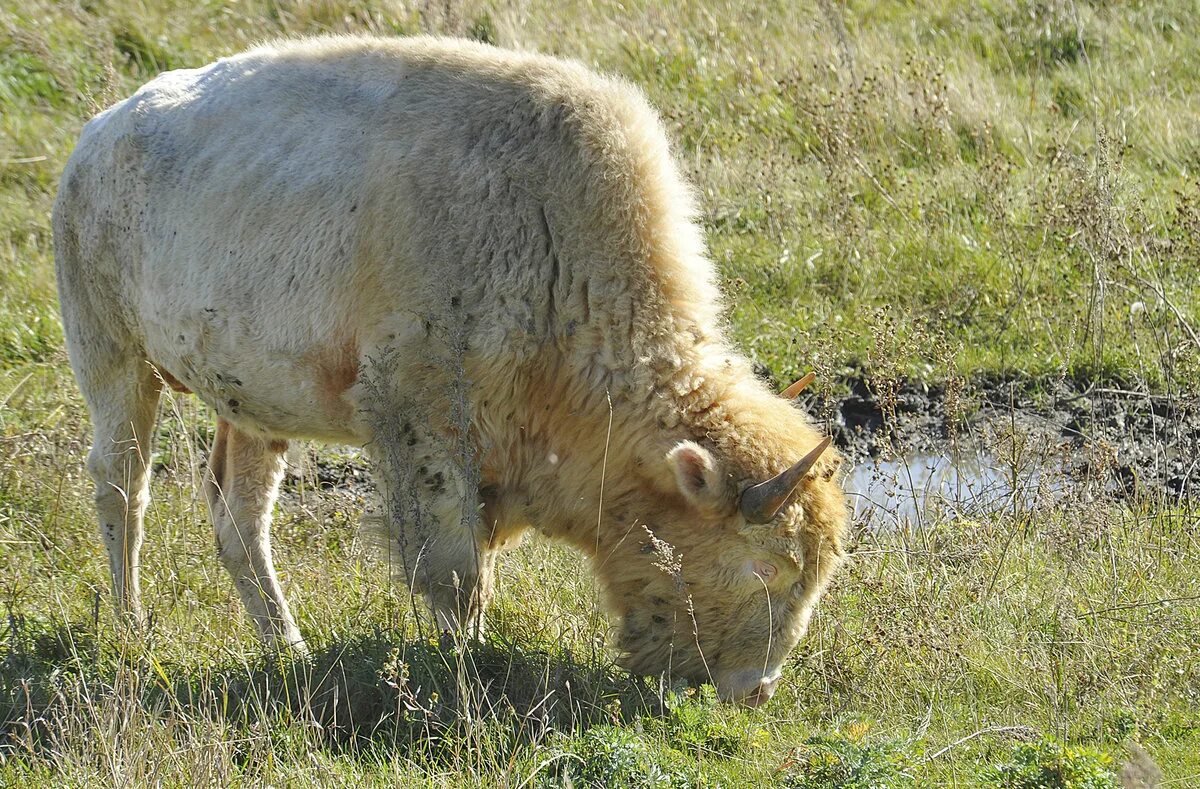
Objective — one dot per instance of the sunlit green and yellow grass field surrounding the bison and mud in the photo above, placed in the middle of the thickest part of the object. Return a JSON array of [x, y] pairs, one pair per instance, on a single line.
[[940, 191]]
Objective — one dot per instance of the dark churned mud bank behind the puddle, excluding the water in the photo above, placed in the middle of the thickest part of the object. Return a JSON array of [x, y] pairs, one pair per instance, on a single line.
[[1120, 442]]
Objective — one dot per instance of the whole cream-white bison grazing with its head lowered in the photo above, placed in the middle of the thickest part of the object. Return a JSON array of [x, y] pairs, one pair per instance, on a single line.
[[483, 267]]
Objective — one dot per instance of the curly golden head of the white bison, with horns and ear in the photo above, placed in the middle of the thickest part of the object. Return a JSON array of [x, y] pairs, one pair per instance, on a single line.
[[719, 579]]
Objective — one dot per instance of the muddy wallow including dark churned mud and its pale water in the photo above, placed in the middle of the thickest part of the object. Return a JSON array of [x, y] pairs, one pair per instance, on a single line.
[[1013, 448]]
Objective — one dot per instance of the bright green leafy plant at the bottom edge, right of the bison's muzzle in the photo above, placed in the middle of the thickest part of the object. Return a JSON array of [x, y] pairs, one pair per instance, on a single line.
[[1049, 764]]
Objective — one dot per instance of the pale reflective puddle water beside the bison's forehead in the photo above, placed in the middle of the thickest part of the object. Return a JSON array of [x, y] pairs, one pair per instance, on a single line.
[[921, 489]]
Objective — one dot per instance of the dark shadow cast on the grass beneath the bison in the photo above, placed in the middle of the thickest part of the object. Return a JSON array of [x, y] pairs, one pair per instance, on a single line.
[[376, 692]]
